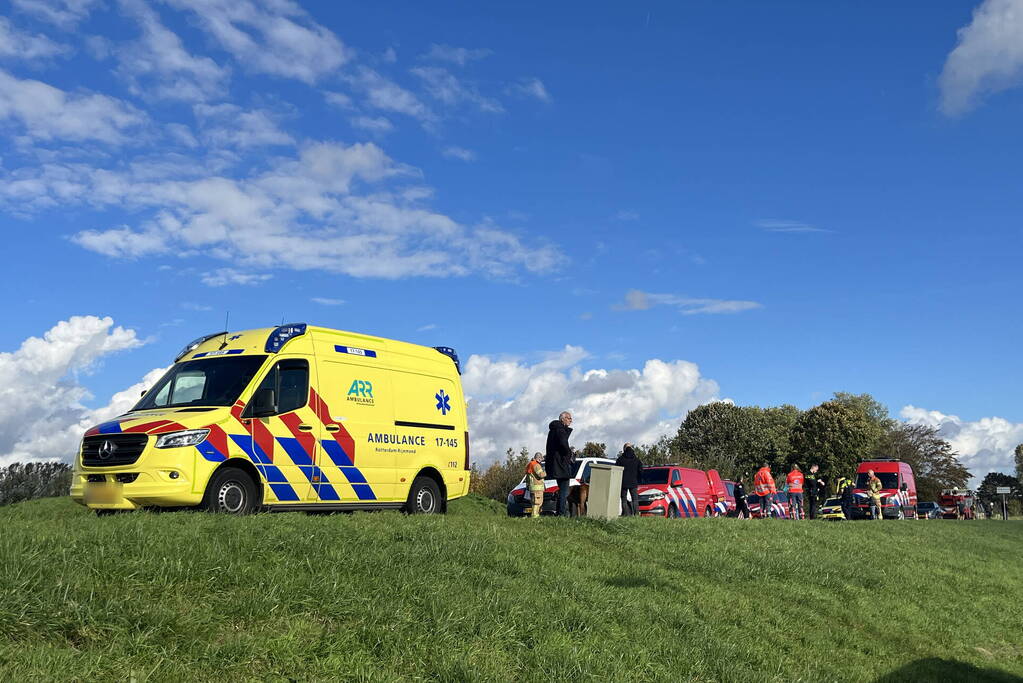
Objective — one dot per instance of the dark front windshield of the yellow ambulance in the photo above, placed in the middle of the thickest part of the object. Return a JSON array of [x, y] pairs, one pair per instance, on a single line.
[[208, 382]]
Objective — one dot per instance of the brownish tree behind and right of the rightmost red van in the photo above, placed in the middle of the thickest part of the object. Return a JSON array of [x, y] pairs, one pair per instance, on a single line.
[[936, 465]]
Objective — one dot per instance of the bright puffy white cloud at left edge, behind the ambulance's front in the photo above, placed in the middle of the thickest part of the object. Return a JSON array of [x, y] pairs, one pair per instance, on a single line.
[[42, 416]]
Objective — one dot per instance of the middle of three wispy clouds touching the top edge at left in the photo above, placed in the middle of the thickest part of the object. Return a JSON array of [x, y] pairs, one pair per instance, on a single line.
[[159, 66]]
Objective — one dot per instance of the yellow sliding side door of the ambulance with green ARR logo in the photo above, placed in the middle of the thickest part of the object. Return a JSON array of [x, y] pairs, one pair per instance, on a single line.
[[358, 454]]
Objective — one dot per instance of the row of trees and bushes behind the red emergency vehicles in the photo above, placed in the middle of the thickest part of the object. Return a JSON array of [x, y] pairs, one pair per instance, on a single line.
[[837, 435]]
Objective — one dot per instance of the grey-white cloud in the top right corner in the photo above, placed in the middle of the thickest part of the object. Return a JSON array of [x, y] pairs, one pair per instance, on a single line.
[[988, 59]]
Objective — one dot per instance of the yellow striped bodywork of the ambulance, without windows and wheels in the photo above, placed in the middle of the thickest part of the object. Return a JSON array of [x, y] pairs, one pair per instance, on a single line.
[[378, 415]]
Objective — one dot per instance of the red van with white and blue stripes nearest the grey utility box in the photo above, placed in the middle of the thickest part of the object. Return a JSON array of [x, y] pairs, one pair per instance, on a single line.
[[670, 491]]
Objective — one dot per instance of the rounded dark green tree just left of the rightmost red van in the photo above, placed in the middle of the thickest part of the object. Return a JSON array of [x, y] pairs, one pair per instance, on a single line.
[[836, 436]]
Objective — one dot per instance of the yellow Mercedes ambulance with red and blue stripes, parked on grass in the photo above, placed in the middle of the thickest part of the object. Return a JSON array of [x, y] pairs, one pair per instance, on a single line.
[[293, 418]]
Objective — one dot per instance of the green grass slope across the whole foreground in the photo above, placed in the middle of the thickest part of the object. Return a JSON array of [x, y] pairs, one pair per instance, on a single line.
[[475, 596]]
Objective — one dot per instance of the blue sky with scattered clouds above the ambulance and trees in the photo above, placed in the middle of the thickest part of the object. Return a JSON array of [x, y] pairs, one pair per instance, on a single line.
[[796, 198]]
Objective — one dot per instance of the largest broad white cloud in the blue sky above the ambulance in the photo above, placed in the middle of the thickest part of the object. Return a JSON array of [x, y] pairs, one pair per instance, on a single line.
[[325, 210]]
